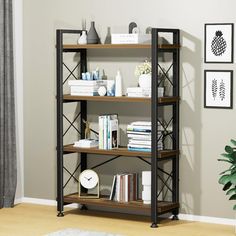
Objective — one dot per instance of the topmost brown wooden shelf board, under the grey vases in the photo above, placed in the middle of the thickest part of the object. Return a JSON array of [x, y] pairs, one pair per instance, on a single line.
[[119, 46]]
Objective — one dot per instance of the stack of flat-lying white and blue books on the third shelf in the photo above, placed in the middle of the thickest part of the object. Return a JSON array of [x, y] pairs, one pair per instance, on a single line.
[[139, 135]]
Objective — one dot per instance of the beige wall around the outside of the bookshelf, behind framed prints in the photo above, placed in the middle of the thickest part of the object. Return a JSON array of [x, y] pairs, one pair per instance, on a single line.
[[204, 132]]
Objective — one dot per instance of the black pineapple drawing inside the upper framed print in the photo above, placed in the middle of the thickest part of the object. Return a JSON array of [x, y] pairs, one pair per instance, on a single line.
[[218, 44]]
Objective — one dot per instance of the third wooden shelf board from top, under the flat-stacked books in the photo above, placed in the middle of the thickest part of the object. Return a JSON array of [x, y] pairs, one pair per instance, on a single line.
[[119, 151]]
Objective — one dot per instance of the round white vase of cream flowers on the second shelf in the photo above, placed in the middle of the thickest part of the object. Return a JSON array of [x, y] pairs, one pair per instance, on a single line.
[[143, 72]]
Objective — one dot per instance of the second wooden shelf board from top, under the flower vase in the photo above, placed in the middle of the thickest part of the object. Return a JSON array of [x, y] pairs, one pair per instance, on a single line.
[[163, 100]]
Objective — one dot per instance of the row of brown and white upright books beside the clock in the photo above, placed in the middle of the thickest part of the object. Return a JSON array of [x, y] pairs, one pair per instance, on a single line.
[[124, 187]]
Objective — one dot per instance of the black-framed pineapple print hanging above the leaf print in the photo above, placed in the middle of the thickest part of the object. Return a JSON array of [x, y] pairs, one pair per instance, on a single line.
[[219, 43]]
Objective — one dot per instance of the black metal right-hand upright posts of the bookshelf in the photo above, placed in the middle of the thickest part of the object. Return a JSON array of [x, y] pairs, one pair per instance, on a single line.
[[154, 117]]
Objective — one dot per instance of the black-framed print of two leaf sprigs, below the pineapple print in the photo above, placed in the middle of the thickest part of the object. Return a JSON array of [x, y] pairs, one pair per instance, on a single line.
[[218, 89]]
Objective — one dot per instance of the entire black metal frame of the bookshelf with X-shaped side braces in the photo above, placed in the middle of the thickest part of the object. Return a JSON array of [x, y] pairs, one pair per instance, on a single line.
[[155, 169]]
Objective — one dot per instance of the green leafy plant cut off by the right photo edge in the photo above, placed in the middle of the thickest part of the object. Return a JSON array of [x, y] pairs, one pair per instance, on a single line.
[[228, 177]]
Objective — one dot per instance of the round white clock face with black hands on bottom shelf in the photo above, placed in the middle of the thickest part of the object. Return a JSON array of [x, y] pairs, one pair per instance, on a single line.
[[88, 179]]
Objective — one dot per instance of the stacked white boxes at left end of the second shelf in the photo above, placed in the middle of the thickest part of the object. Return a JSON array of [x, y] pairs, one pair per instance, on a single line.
[[85, 87]]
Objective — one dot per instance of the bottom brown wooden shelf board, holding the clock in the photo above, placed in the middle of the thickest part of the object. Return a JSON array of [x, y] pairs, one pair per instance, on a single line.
[[163, 206]]
